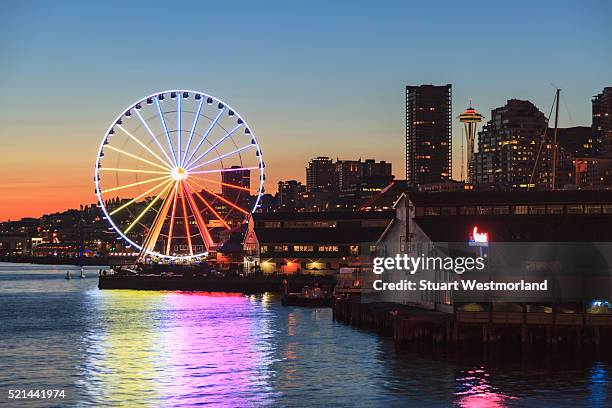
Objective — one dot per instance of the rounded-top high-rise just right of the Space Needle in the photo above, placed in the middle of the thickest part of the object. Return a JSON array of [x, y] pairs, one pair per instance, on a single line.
[[507, 148]]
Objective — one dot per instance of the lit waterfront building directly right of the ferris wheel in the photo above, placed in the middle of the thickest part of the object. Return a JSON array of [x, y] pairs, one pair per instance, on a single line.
[[330, 243]]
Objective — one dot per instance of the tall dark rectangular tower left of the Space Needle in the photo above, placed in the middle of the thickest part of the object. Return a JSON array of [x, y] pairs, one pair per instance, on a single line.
[[428, 133]]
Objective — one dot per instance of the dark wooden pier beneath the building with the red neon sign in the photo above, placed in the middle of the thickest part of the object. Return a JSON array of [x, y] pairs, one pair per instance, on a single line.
[[409, 325]]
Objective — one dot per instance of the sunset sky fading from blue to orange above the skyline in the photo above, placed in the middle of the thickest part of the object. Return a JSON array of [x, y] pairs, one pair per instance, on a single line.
[[311, 77]]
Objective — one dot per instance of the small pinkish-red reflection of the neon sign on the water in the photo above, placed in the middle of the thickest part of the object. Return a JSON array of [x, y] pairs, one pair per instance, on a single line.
[[476, 392]]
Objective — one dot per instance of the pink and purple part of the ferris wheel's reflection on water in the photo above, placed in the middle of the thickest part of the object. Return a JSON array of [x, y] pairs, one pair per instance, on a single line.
[[212, 351]]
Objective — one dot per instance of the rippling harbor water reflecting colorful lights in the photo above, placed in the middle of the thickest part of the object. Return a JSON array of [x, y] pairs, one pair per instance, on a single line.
[[136, 348]]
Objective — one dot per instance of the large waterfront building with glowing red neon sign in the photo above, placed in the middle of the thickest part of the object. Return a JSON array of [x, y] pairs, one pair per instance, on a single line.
[[551, 232]]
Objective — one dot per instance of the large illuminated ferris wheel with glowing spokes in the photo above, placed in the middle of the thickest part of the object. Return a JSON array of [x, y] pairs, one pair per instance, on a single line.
[[176, 171]]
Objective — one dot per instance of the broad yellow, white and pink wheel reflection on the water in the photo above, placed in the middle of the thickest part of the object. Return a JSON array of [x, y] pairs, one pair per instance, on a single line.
[[181, 348]]
